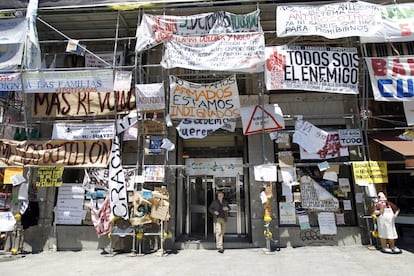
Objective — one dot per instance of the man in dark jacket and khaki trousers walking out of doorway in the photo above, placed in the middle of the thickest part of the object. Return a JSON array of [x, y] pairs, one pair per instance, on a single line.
[[219, 208]]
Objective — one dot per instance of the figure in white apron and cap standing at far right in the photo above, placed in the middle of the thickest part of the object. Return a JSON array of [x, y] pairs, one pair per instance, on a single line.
[[386, 213]]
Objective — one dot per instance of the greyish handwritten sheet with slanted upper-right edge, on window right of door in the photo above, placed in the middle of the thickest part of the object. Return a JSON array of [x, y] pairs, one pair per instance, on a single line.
[[315, 197]]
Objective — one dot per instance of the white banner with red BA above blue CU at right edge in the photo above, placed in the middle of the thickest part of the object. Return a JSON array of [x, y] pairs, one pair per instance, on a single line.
[[391, 78]]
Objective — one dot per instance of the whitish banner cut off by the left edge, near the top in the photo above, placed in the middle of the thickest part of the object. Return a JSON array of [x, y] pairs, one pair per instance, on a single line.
[[12, 36]]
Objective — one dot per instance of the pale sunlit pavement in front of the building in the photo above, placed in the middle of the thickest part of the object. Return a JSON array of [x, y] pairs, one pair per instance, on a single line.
[[308, 261]]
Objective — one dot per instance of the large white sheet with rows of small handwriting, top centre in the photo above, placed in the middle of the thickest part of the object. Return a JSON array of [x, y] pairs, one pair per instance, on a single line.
[[222, 52]]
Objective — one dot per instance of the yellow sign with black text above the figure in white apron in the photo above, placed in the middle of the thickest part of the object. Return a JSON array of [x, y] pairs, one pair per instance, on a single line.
[[370, 172]]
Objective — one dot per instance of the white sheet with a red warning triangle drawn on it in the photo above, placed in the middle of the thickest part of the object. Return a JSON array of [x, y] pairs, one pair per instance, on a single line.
[[256, 119]]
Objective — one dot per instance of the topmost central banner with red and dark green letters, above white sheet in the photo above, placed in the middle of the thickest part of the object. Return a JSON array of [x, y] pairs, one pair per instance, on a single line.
[[155, 29]]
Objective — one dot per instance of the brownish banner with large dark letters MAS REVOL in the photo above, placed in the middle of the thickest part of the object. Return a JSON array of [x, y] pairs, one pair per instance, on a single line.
[[58, 105]]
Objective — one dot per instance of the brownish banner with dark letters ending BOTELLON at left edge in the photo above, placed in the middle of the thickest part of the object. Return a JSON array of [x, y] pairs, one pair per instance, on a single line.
[[56, 153]]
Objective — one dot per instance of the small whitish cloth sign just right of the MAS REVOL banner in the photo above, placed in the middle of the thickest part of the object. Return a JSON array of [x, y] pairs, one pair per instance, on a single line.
[[150, 96]]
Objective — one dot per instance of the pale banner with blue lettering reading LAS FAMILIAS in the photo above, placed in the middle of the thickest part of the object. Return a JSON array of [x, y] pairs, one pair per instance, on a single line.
[[68, 81]]
